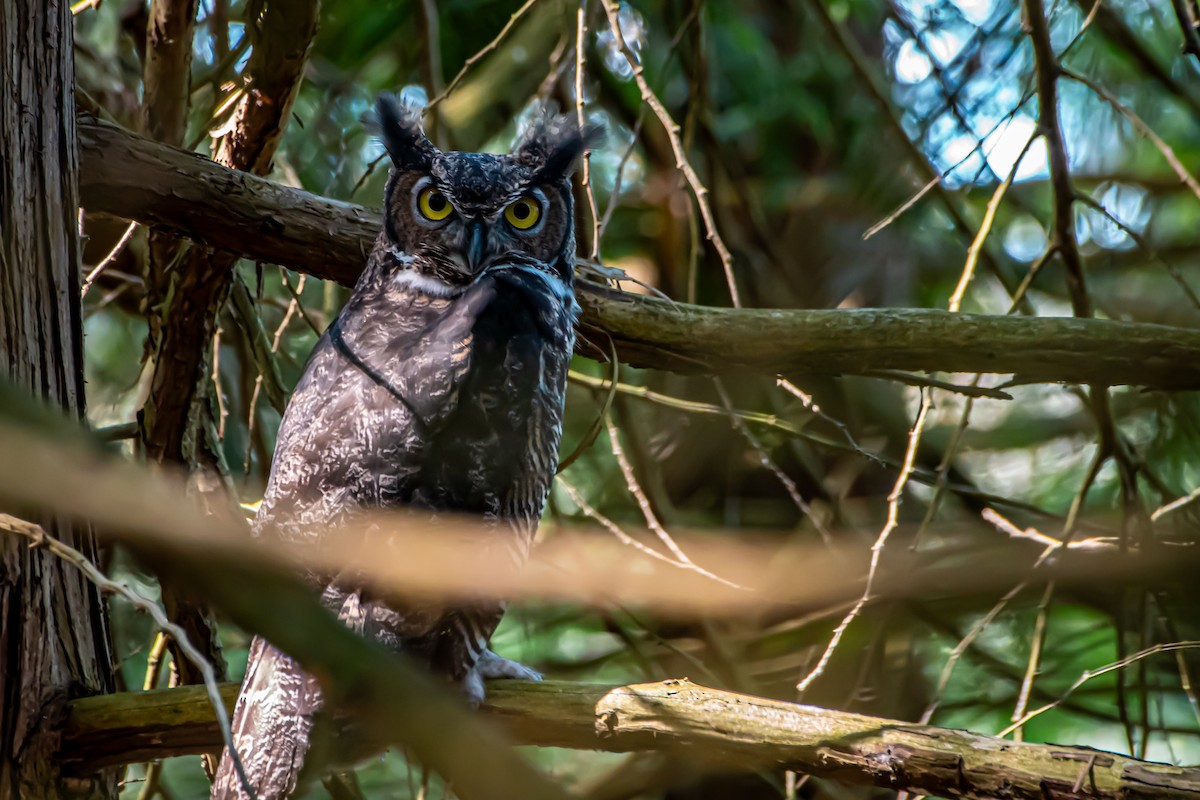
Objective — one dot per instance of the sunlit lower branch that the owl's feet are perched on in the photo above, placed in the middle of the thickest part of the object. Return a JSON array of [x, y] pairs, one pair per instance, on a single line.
[[735, 731]]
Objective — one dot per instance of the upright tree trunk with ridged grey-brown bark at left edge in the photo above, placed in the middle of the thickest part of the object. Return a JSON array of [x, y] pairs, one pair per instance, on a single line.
[[53, 630]]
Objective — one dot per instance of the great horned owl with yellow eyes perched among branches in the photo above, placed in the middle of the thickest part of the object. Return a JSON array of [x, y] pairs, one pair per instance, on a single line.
[[441, 387]]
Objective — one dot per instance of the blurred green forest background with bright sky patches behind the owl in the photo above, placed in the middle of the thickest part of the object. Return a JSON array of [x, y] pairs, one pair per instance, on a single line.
[[813, 124]]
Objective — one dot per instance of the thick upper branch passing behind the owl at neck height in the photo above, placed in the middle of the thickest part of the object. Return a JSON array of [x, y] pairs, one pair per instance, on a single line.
[[133, 178]]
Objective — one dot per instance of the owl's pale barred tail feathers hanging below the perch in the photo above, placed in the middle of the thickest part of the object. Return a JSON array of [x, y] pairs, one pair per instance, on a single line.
[[272, 727]]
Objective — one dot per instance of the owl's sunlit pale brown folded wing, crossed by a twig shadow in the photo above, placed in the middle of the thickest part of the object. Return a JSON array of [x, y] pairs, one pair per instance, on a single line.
[[375, 394]]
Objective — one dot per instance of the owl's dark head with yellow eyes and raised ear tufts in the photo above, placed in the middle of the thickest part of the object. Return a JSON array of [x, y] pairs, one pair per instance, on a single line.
[[451, 216]]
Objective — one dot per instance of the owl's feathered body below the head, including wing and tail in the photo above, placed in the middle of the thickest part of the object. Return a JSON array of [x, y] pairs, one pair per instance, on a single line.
[[447, 401]]
